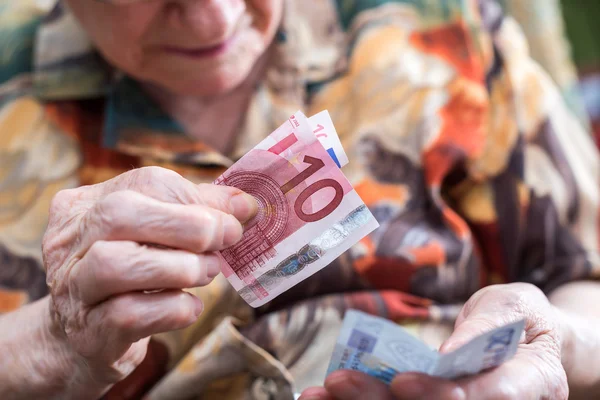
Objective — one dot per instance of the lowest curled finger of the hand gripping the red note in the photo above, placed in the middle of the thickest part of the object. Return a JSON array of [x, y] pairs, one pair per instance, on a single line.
[[125, 319]]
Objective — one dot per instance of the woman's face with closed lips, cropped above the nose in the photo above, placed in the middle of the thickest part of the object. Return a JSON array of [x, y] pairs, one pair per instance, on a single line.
[[193, 47]]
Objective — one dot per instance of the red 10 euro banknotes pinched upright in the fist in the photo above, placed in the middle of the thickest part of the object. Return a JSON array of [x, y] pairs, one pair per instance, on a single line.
[[309, 214]]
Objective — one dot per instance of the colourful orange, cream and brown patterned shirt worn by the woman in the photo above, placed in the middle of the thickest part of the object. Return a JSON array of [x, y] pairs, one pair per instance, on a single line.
[[461, 145]]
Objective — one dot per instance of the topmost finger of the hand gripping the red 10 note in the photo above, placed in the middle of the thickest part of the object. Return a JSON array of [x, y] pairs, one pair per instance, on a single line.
[[168, 186]]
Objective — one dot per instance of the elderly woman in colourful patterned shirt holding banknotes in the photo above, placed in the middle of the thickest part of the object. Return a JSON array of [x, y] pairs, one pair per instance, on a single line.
[[117, 114]]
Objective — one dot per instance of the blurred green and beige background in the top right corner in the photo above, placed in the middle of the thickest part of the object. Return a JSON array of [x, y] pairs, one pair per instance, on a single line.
[[564, 36]]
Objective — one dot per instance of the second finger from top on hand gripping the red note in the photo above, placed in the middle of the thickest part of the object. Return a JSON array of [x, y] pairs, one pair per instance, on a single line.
[[131, 216]]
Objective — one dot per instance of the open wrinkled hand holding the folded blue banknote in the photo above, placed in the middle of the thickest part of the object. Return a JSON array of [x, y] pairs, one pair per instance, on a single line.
[[535, 372]]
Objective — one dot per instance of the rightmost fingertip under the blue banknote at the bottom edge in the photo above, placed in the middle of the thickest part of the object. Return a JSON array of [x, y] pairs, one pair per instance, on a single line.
[[412, 386]]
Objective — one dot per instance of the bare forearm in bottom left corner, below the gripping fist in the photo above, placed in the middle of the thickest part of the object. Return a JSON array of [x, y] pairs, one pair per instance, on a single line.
[[36, 361]]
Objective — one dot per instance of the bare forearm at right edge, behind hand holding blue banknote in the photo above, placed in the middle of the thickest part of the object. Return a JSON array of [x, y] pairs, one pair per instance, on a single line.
[[578, 304]]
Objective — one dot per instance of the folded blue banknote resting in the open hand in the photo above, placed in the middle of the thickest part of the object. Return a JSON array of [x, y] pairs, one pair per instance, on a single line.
[[383, 349]]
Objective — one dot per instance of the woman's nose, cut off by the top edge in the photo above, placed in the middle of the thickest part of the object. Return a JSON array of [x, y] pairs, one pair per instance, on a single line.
[[205, 18]]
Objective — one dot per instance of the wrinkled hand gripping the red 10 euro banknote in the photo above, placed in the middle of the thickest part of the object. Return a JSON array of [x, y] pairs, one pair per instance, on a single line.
[[110, 247]]
